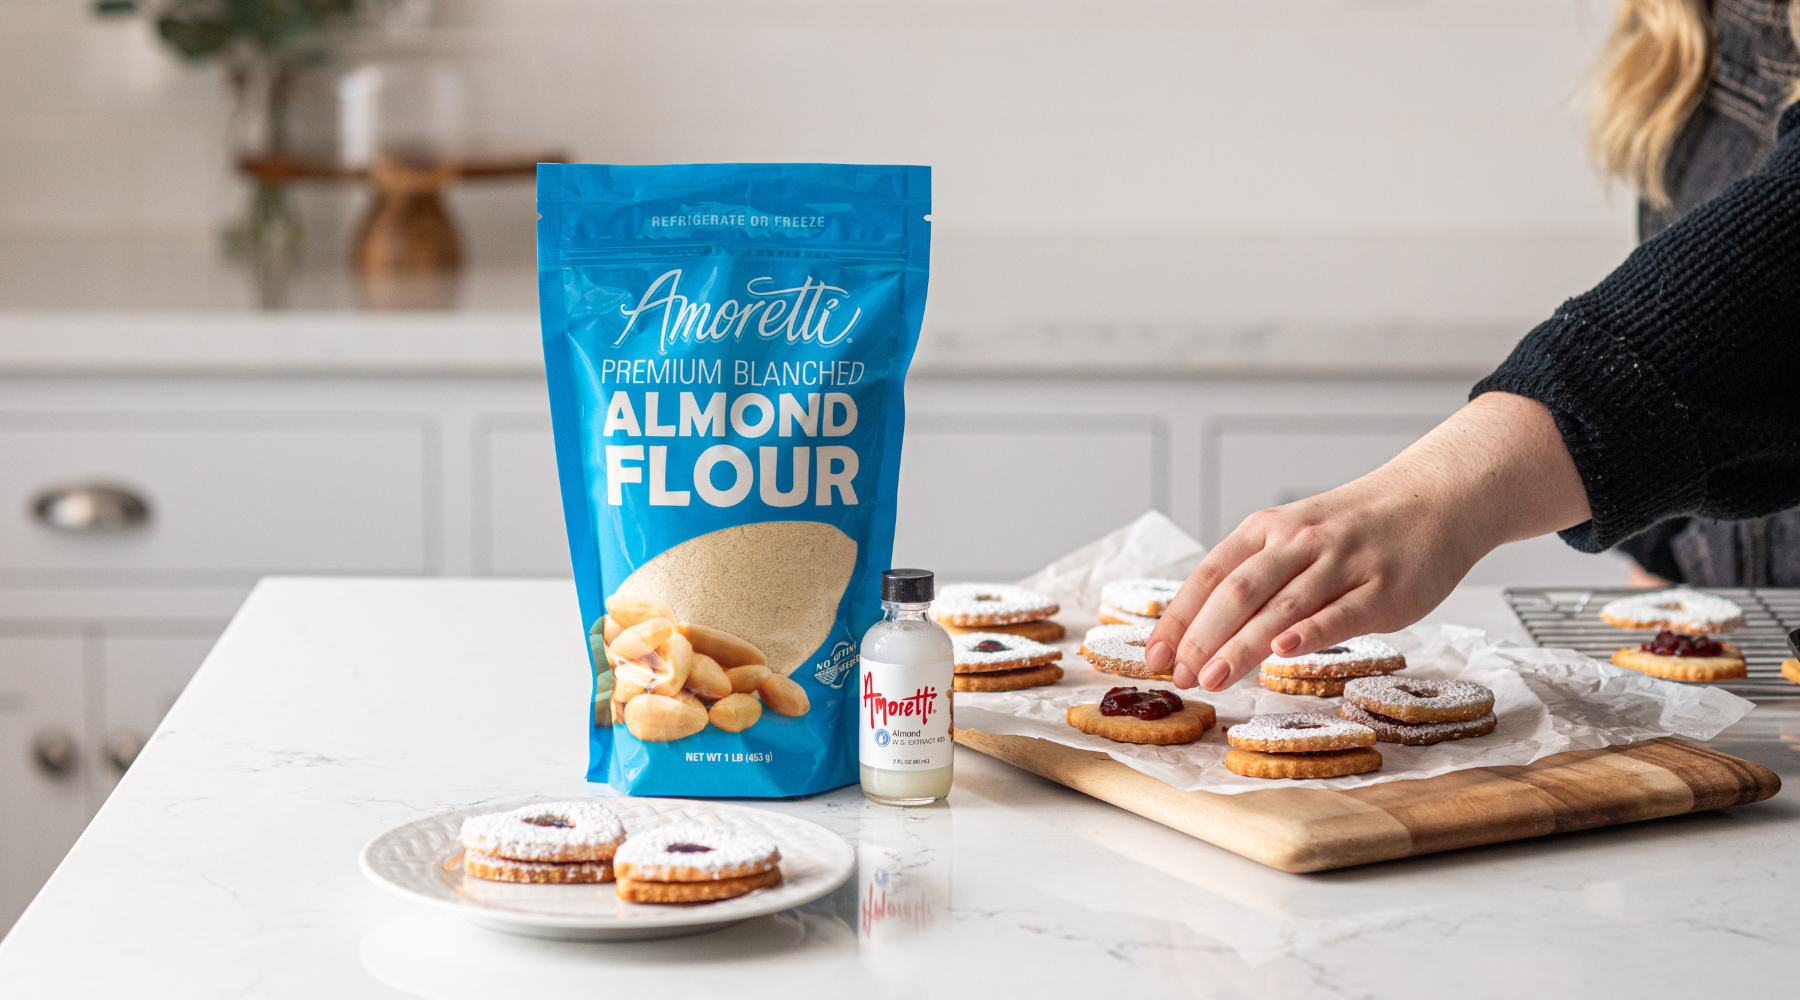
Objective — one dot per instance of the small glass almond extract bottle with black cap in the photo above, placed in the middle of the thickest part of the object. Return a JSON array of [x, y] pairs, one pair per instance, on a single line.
[[908, 672]]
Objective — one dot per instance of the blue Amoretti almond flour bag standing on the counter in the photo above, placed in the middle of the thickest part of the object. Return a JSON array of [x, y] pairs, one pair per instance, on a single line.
[[726, 350]]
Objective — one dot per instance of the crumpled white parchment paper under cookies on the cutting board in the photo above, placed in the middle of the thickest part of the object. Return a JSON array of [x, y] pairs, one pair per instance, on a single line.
[[1549, 701]]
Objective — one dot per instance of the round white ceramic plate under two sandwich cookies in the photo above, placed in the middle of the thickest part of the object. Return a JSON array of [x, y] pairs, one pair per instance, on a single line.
[[424, 862]]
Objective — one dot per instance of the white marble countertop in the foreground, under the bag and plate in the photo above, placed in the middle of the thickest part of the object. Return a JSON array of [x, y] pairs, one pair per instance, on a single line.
[[226, 862]]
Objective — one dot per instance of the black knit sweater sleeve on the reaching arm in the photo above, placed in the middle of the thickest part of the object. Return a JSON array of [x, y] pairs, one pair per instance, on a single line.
[[1677, 380]]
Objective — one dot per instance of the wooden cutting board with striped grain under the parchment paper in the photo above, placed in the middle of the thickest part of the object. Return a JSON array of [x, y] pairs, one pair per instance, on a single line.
[[1311, 830]]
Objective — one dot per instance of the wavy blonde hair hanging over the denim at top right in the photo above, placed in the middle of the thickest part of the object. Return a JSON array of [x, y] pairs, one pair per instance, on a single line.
[[1650, 78]]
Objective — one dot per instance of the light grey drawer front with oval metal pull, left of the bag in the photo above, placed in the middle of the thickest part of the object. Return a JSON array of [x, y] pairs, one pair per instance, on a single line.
[[226, 494]]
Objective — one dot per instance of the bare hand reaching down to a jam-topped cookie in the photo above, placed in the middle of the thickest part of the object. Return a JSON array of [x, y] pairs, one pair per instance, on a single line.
[[1374, 555]]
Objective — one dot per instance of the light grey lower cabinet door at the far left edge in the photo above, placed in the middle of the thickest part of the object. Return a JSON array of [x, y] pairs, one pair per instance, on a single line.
[[46, 772]]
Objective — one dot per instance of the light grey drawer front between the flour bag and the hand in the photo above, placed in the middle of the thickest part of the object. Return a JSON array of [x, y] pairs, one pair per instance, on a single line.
[[996, 497]]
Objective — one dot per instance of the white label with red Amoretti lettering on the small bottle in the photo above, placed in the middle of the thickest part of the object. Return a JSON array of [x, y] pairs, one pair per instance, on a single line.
[[906, 715]]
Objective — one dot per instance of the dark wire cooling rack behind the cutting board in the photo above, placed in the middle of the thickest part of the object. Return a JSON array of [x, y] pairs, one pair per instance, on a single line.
[[1570, 620]]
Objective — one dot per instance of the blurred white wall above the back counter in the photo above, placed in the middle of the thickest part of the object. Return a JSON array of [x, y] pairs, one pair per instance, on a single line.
[[1304, 161]]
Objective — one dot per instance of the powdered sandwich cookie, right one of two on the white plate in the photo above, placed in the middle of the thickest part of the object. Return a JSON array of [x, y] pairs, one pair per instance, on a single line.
[[694, 864]]
